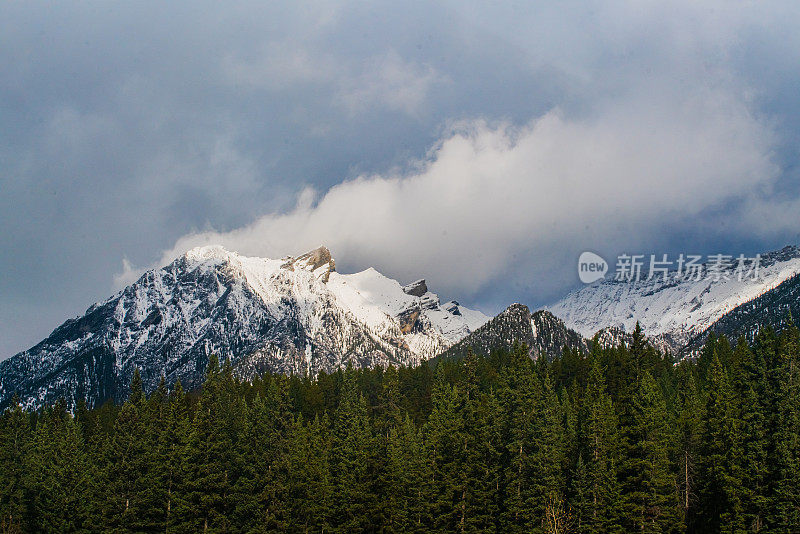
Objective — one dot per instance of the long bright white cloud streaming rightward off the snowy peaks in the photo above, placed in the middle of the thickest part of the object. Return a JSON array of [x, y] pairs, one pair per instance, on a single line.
[[494, 200]]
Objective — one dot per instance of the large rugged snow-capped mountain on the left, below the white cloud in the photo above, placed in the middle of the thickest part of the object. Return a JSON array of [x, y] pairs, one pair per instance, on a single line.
[[284, 315]]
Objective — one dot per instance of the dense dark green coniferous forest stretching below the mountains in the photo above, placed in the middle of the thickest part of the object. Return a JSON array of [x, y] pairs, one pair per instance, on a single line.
[[617, 440]]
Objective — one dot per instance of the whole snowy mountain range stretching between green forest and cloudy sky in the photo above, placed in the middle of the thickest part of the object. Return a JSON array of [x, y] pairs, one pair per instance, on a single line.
[[299, 315]]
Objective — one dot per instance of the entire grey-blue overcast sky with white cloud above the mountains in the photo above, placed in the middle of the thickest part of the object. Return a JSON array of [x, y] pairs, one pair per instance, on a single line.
[[480, 147]]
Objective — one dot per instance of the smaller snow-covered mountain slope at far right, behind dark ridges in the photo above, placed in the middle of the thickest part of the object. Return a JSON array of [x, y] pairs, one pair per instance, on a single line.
[[673, 311]]
